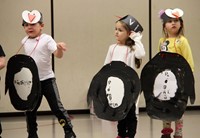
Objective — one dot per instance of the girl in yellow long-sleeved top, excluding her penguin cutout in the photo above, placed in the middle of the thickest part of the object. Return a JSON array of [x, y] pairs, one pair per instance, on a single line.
[[174, 41]]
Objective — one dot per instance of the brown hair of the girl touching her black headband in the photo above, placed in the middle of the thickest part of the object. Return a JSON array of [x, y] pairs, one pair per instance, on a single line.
[[131, 43]]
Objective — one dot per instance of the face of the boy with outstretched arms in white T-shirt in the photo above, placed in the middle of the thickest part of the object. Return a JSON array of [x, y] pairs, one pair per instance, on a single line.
[[33, 30]]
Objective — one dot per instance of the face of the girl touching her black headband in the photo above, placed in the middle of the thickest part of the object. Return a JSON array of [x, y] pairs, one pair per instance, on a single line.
[[121, 33]]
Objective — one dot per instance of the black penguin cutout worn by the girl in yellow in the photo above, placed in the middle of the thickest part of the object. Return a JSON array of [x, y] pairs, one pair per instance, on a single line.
[[167, 82]]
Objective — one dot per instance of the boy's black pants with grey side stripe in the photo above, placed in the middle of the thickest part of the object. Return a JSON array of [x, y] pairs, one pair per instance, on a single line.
[[50, 91]]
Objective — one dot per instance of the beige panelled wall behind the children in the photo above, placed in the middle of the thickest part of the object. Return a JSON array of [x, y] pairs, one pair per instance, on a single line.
[[88, 29]]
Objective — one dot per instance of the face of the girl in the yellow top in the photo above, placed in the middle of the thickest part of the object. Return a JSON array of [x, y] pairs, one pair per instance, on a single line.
[[172, 27]]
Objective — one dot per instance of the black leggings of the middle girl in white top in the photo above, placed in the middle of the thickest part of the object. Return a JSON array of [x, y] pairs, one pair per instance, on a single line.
[[128, 126]]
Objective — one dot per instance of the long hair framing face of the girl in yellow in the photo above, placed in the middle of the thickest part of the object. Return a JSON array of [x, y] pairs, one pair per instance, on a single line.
[[180, 31]]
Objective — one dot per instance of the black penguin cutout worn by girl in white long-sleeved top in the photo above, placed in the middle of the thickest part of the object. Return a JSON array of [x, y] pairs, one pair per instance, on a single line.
[[113, 90]]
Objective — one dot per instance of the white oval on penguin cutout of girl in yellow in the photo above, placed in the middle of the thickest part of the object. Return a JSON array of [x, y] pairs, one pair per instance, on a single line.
[[165, 85]]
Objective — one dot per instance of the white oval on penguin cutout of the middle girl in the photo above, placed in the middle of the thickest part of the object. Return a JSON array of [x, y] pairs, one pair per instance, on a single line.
[[114, 91]]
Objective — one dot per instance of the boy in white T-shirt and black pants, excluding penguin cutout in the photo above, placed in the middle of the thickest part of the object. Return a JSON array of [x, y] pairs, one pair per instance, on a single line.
[[40, 47]]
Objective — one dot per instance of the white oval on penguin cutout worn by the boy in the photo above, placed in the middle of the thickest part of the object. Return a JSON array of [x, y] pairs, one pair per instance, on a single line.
[[23, 83]]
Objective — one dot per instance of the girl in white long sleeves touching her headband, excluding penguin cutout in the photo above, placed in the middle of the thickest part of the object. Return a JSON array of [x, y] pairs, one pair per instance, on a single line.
[[128, 49]]
